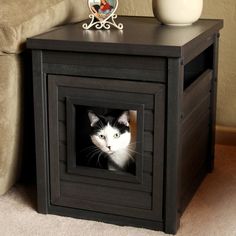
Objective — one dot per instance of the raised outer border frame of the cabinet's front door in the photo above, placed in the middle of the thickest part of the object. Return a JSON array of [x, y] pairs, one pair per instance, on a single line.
[[155, 94]]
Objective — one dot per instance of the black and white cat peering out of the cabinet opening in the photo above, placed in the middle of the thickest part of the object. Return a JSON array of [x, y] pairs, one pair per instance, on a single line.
[[111, 135]]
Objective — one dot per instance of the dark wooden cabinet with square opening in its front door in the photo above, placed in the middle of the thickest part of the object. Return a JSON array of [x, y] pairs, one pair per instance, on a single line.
[[168, 76]]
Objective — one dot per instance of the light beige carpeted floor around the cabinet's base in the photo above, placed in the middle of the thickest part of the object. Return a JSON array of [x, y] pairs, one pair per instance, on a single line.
[[212, 212]]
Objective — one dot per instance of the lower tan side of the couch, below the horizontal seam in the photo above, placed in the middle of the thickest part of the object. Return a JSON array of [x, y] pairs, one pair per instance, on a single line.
[[10, 119]]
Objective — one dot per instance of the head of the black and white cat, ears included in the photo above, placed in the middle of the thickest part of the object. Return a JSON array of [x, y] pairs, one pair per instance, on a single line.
[[109, 133]]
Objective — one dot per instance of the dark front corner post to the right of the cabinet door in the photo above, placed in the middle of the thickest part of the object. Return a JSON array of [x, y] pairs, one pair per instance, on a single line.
[[172, 145]]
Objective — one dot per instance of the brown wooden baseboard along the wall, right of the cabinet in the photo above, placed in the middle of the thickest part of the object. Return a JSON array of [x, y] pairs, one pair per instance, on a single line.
[[226, 135]]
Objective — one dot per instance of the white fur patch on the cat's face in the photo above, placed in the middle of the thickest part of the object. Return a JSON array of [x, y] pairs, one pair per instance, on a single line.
[[109, 139]]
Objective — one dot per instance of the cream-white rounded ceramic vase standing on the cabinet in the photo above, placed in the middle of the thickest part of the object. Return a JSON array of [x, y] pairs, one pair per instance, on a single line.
[[177, 12]]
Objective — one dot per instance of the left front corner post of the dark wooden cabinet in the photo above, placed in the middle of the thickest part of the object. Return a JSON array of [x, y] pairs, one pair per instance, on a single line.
[[40, 116]]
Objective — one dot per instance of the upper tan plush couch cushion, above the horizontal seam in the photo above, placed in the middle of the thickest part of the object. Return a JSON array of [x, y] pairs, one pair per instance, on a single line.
[[26, 18]]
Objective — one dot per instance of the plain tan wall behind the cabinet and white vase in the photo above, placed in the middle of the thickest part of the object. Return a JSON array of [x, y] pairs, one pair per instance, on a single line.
[[223, 9]]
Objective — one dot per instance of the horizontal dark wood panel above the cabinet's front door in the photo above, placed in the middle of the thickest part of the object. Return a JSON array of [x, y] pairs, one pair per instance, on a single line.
[[106, 66]]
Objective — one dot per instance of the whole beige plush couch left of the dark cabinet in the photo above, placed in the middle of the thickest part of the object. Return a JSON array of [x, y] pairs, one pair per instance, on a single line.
[[20, 19]]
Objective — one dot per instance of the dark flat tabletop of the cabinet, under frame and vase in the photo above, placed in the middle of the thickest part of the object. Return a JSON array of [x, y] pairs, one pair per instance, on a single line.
[[140, 36]]
